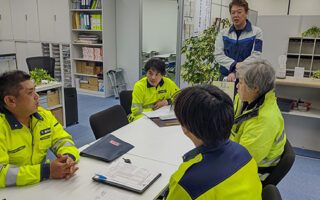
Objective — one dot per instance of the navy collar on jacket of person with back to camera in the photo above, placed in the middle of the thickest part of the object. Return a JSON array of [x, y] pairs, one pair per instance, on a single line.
[[203, 149]]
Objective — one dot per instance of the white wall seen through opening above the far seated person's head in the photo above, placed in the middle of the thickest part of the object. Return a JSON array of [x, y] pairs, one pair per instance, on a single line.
[[159, 26]]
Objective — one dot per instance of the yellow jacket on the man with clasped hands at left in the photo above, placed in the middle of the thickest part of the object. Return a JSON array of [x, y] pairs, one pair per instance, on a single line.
[[23, 150]]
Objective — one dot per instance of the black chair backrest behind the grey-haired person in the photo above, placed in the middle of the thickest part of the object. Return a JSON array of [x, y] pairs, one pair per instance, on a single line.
[[283, 167]]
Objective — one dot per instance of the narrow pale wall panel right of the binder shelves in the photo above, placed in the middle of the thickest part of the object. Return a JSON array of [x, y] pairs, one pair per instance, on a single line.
[[127, 33]]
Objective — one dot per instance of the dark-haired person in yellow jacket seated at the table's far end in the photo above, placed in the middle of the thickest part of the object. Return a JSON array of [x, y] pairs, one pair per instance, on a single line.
[[152, 92]]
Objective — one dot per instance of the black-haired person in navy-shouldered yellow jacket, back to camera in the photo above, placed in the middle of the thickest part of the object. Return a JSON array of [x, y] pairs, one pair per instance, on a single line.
[[216, 168]]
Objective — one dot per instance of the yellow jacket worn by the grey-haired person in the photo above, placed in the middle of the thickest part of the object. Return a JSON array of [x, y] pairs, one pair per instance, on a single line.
[[260, 129]]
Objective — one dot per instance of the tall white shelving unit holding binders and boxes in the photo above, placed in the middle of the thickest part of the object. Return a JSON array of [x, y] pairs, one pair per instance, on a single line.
[[107, 40]]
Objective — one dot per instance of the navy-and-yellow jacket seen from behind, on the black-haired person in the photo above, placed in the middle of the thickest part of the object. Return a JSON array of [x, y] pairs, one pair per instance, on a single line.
[[224, 172]]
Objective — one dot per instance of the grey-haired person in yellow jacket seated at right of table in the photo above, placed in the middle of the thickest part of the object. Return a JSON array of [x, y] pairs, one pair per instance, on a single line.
[[259, 125]]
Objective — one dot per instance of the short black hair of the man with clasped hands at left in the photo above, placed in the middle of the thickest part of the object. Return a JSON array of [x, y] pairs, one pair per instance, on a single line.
[[10, 83]]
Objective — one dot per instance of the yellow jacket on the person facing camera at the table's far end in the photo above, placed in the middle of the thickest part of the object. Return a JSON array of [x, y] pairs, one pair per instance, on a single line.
[[144, 95]]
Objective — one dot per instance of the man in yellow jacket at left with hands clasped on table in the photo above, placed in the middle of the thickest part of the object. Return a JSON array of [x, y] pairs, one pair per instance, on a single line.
[[27, 131]]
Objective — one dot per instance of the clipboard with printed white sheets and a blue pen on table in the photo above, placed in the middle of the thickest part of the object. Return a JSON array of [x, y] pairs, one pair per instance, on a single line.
[[127, 176]]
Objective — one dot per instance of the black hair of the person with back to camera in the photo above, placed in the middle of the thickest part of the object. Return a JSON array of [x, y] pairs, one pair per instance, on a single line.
[[206, 111]]
